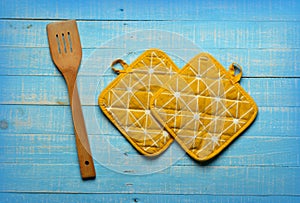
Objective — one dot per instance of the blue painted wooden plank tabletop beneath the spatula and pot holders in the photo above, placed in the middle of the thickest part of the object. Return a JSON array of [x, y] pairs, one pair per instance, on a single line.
[[38, 160]]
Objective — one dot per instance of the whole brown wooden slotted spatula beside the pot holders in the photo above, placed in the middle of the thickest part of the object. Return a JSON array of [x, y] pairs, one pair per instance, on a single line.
[[65, 49]]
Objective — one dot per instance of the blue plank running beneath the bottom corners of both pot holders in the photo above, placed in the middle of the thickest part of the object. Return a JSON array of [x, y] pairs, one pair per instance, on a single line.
[[248, 150]]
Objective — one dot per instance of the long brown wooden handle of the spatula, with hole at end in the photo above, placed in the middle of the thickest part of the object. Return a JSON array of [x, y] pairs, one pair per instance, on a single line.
[[85, 158]]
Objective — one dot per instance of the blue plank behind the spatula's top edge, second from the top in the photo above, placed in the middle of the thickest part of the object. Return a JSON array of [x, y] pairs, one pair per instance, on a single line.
[[206, 34]]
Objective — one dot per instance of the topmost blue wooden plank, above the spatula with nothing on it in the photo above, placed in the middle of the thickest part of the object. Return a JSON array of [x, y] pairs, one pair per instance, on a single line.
[[154, 10]]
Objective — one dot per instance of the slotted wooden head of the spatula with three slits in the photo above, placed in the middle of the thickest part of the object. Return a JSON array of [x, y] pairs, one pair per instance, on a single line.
[[64, 43]]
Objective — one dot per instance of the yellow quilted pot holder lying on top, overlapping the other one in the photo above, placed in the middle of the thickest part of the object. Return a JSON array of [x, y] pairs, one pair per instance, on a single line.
[[203, 107]]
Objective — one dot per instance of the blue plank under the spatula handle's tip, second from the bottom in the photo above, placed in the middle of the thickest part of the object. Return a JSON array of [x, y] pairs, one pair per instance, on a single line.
[[212, 180]]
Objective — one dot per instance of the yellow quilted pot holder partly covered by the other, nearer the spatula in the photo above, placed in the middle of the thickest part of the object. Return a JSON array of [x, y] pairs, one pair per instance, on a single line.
[[126, 101]]
